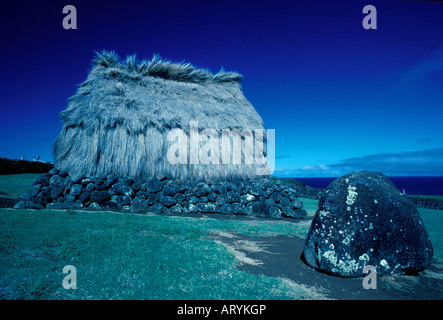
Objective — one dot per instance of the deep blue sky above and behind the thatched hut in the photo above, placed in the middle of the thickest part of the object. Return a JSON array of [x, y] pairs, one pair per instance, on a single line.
[[339, 97]]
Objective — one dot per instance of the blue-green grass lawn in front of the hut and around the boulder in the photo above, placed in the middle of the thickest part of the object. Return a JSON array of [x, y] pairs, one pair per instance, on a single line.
[[133, 256]]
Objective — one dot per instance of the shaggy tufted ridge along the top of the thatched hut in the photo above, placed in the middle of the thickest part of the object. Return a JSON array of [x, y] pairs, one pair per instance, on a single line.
[[158, 67]]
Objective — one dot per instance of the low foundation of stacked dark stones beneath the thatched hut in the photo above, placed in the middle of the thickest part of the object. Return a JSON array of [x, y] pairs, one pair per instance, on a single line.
[[262, 198]]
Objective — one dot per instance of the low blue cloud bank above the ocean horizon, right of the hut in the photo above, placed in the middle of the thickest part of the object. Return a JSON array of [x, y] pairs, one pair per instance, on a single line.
[[407, 163]]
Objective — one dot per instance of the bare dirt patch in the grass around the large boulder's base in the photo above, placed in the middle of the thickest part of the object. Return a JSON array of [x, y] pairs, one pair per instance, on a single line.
[[279, 256]]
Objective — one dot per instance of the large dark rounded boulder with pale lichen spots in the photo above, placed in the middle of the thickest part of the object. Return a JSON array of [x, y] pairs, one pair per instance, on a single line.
[[363, 219]]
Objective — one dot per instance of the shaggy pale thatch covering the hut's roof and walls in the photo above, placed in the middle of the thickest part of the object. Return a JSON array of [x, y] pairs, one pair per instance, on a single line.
[[117, 121]]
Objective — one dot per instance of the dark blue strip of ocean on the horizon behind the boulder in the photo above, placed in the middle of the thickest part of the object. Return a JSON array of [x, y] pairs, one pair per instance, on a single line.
[[411, 185]]
